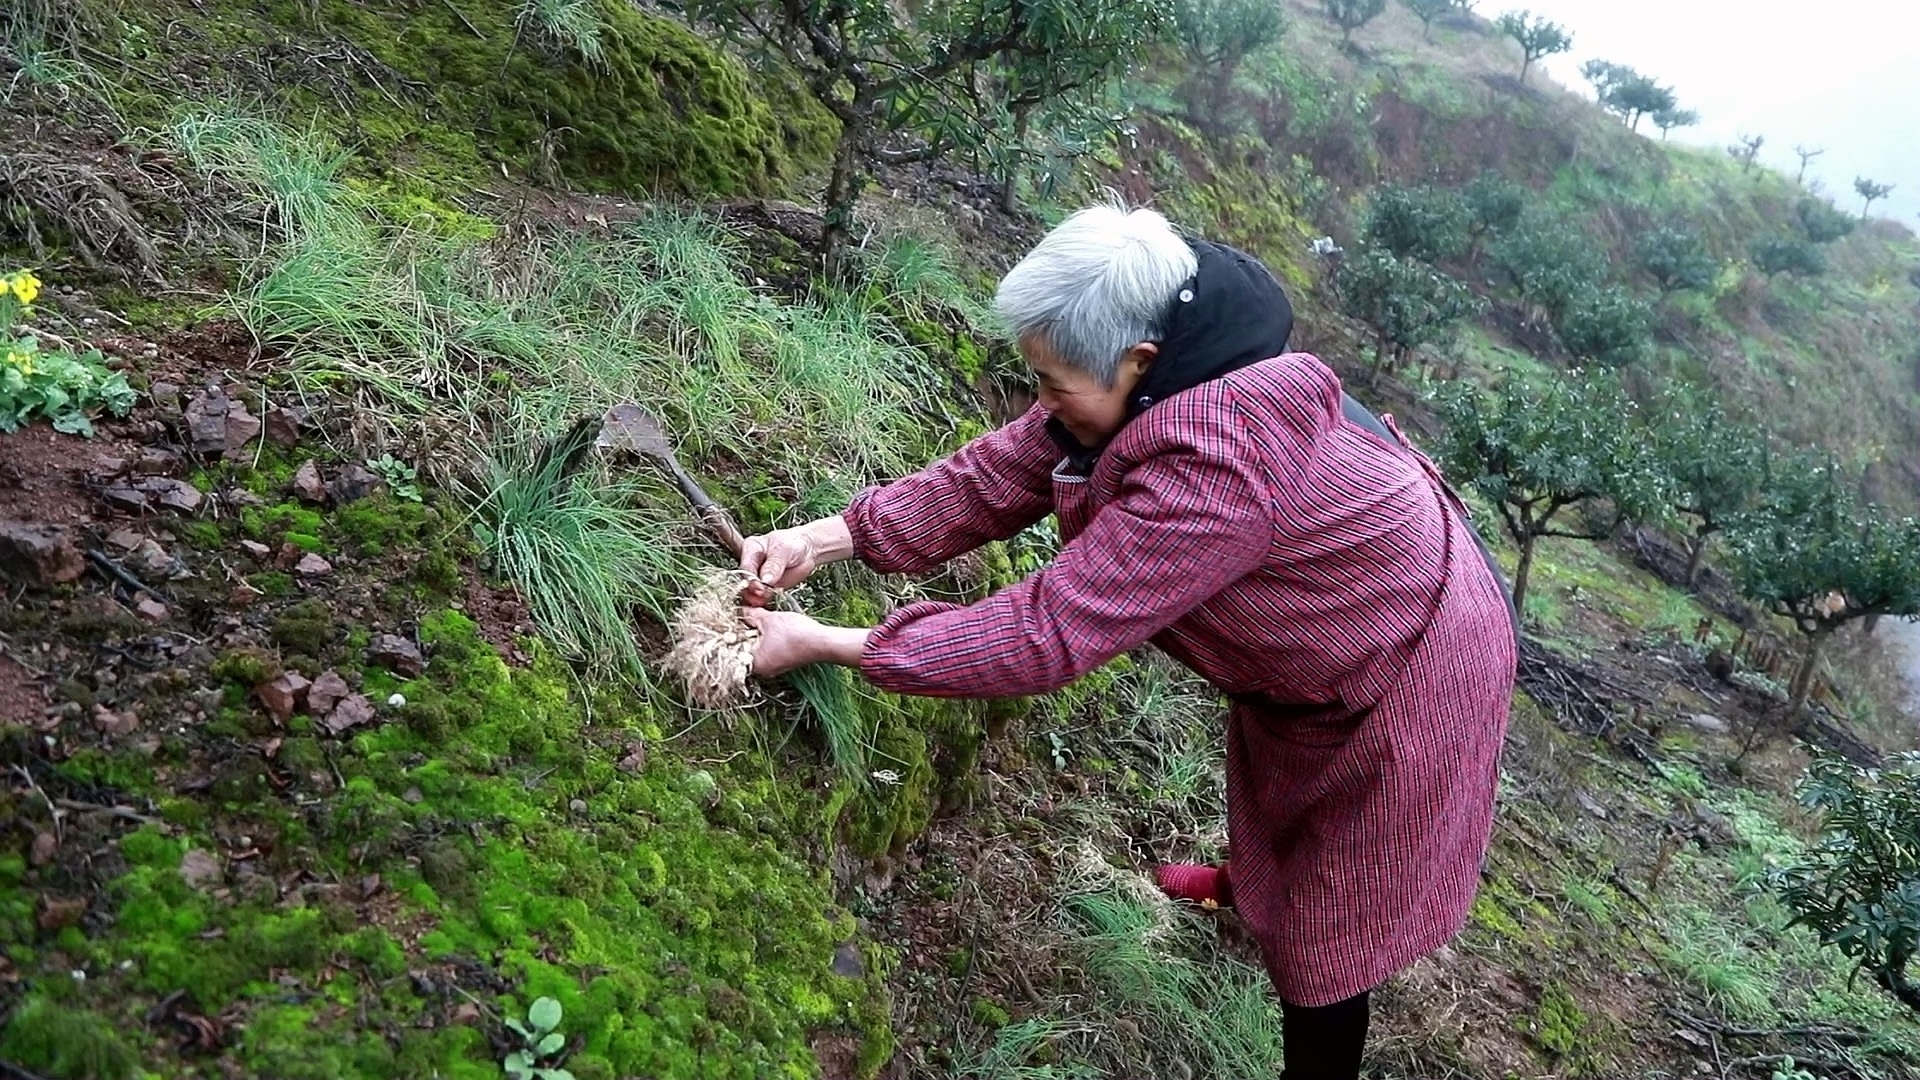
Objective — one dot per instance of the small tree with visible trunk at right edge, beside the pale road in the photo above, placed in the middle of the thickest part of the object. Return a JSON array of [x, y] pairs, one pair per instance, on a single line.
[[1813, 554]]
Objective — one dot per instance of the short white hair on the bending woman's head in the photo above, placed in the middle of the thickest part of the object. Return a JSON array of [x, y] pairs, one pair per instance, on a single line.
[[1097, 285]]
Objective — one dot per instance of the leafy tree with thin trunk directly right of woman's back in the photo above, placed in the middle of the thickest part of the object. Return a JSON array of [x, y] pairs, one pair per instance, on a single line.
[[1543, 449]]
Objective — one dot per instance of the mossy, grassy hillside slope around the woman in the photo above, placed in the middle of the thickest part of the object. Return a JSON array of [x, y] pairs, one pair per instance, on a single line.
[[333, 706]]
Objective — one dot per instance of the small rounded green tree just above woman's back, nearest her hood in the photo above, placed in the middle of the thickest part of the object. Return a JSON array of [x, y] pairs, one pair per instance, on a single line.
[[1406, 303]]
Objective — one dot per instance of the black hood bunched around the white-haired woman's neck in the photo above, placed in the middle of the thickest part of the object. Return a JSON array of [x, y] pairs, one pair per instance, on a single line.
[[1230, 316]]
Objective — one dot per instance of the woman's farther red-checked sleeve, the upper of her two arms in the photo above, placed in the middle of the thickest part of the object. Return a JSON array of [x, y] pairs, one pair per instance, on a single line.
[[988, 491]]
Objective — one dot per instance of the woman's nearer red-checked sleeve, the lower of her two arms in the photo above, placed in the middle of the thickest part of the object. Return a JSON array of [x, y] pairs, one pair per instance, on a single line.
[[1188, 522]]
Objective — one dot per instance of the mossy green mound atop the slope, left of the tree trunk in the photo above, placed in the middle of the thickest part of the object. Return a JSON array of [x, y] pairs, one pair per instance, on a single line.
[[661, 110]]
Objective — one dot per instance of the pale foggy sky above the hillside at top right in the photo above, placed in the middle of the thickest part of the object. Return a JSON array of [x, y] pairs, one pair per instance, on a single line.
[[1838, 74]]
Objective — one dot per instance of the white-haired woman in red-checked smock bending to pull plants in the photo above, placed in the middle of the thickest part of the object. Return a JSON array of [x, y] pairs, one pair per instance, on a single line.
[[1224, 501]]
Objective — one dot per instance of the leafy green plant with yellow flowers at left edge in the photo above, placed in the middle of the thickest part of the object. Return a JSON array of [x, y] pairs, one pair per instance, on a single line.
[[59, 385]]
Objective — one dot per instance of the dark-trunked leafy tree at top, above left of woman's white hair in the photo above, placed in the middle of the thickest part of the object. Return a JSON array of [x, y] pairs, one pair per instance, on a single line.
[[884, 70]]
